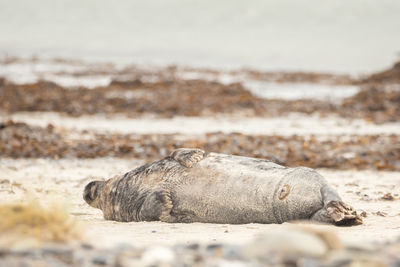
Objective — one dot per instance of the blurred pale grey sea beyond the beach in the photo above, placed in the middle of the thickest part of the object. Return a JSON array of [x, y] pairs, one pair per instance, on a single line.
[[355, 36]]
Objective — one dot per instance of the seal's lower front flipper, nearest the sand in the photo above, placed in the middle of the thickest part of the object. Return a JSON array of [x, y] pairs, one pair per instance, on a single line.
[[157, 206]]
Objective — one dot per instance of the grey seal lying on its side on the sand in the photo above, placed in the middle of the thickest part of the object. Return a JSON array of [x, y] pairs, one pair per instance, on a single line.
[[193, 186]]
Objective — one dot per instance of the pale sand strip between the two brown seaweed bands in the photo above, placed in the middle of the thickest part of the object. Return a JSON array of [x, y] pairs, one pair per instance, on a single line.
[[293, 124]]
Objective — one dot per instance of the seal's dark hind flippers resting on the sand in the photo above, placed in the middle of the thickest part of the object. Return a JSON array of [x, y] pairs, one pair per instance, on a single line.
[[338, 213]]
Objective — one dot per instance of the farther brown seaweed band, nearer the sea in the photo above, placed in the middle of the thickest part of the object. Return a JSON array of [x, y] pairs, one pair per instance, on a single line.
[[176, 97]]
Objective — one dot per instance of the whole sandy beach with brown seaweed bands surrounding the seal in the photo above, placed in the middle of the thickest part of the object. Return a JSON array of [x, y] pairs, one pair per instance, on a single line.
[[50, 149]]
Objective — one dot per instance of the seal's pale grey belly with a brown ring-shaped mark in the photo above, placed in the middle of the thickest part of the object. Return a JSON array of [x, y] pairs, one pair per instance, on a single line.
[[231, 189]]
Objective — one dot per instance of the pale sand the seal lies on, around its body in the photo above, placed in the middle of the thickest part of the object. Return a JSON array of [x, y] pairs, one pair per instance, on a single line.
[[64, 179]]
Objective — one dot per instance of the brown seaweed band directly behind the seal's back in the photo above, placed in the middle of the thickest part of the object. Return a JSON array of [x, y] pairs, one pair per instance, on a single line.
[[23, 140]]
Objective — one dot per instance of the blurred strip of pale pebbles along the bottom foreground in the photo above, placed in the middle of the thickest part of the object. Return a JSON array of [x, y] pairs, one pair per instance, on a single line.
[[290, 246]]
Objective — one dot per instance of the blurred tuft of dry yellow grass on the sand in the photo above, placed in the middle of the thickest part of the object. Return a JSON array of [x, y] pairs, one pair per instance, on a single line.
[[32, 220]]
